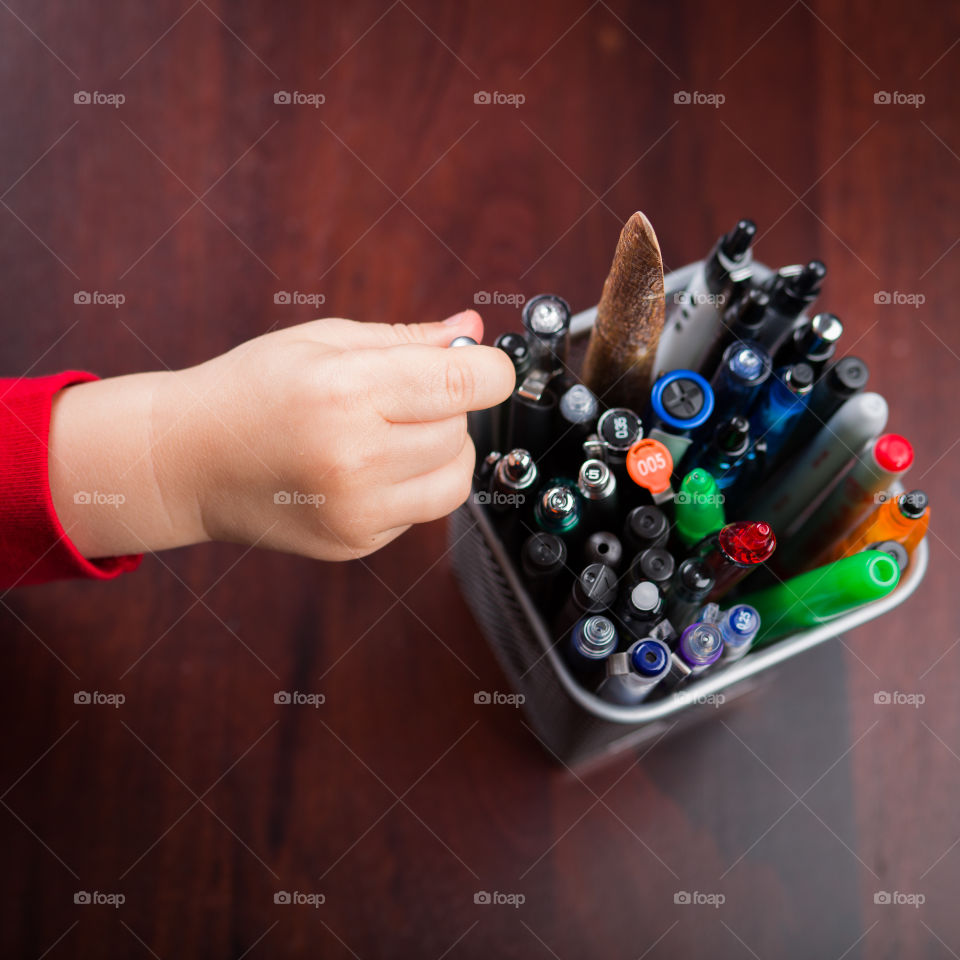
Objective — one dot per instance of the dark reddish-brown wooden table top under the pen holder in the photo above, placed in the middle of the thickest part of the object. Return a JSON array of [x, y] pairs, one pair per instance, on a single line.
[[199, 198]]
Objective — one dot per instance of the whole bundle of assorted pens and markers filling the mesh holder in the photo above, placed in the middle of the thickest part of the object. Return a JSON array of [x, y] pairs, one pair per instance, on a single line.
[[708, 440]]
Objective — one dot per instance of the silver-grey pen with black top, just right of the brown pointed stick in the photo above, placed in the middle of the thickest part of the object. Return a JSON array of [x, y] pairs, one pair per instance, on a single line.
[[696, 323]]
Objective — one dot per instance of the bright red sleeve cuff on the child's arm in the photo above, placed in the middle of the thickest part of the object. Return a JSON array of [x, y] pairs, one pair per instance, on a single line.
[[33, 545]]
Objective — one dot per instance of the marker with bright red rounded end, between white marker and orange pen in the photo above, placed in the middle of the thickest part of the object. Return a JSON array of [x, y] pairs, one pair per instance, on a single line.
[[878, 465]]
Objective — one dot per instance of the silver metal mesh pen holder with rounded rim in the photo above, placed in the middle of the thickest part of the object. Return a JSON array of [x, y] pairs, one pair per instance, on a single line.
[[575, 726]]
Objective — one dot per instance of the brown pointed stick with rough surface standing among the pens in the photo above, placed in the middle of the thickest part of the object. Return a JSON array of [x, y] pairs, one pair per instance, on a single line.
[[619, 363]]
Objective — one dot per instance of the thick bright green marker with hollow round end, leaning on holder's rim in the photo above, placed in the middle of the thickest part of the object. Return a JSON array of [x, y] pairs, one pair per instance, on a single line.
[[822, 594]]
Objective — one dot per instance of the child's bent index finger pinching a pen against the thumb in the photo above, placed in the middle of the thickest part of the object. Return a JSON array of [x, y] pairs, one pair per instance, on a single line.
[[422, 383]]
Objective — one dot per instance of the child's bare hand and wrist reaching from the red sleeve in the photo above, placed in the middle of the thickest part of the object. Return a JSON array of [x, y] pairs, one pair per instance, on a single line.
[[327, 439]]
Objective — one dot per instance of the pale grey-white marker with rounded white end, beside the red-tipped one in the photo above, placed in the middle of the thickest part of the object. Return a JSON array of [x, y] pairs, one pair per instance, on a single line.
[[785, 500]]
